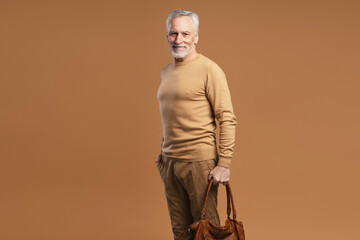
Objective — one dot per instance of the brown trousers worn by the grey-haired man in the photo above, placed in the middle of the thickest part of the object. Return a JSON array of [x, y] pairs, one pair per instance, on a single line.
[[185, 188]]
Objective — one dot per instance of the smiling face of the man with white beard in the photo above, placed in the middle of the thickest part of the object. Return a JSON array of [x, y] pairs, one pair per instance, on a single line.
[[182, 37]]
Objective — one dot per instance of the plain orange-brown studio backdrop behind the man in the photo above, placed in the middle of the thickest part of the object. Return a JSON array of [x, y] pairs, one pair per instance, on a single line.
[[80, 125]]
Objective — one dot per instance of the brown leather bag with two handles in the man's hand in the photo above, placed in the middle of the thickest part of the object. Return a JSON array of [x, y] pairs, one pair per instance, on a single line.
[[204, 229]]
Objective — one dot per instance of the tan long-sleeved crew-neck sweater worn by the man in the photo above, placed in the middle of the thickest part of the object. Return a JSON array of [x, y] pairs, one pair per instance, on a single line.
[[191, 95]]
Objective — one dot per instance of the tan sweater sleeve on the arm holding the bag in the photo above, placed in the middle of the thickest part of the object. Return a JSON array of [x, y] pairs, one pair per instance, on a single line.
[[218, 94]]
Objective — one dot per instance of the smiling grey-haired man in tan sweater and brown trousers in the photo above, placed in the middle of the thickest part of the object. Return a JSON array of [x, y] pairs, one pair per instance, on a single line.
[[193, 92]]
